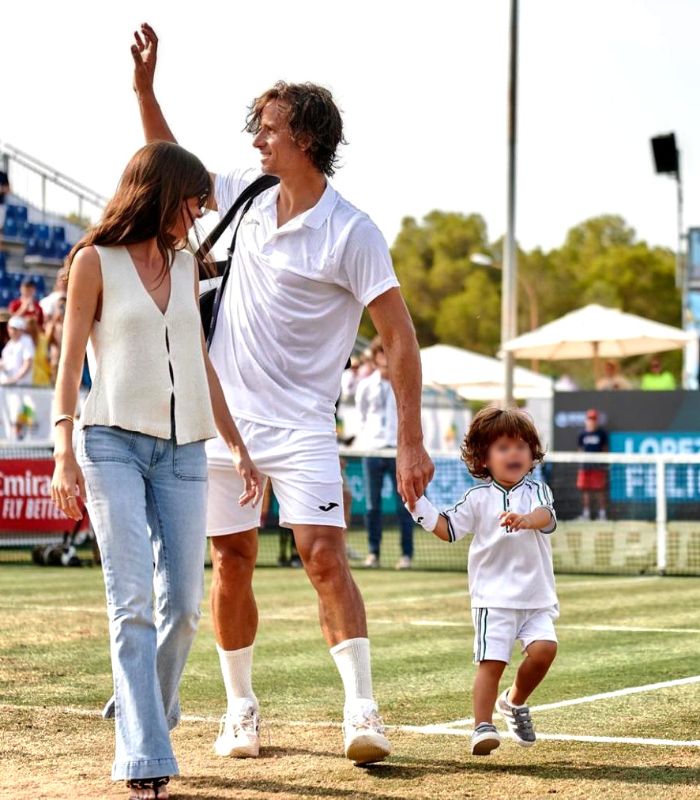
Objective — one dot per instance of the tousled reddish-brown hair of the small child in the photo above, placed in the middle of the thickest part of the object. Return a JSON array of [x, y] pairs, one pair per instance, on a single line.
[[490, 424]]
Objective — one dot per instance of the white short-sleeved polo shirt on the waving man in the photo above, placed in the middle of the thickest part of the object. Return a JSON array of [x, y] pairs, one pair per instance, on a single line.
[[292, 306]]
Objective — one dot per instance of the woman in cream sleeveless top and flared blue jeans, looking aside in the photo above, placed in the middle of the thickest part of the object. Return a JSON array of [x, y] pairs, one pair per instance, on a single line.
[[132, 290]]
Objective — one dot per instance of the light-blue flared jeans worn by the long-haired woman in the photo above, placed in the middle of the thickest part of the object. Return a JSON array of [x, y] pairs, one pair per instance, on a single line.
[[147, 502]]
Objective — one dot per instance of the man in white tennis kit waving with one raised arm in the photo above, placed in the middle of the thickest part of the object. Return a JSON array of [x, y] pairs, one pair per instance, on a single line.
[[306, 262]]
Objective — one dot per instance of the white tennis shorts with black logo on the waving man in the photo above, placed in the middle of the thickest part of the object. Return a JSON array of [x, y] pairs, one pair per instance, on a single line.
[[303, 467]]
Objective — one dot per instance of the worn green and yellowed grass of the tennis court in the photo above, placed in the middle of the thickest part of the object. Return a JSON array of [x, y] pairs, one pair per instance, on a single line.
[[54, 656]]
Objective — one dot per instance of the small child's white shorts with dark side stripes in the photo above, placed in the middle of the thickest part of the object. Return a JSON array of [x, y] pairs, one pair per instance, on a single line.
[[497, 629]]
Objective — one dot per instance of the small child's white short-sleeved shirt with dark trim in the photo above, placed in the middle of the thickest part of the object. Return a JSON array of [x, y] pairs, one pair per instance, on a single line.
[[506, 569]]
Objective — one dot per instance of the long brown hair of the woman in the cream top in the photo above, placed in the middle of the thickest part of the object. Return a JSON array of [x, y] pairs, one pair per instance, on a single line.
[[148, 200]]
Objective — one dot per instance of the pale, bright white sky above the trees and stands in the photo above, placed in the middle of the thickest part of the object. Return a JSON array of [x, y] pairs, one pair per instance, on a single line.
[[423, 87]]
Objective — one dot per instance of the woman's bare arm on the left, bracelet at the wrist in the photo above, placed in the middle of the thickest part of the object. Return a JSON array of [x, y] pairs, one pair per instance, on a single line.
[[84, 291]]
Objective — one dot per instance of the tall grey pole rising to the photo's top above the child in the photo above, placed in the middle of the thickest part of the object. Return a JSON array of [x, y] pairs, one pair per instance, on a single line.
[[509, 295]]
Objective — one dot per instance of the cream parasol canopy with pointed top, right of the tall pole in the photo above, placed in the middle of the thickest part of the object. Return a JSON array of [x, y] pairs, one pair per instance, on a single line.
[[597, 332]]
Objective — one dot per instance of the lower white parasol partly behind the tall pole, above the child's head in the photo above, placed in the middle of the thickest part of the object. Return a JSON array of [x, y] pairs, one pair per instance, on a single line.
[[477, 377]]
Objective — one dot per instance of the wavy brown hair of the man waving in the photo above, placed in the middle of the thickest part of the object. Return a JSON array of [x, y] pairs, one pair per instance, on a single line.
[[313, 117]]
